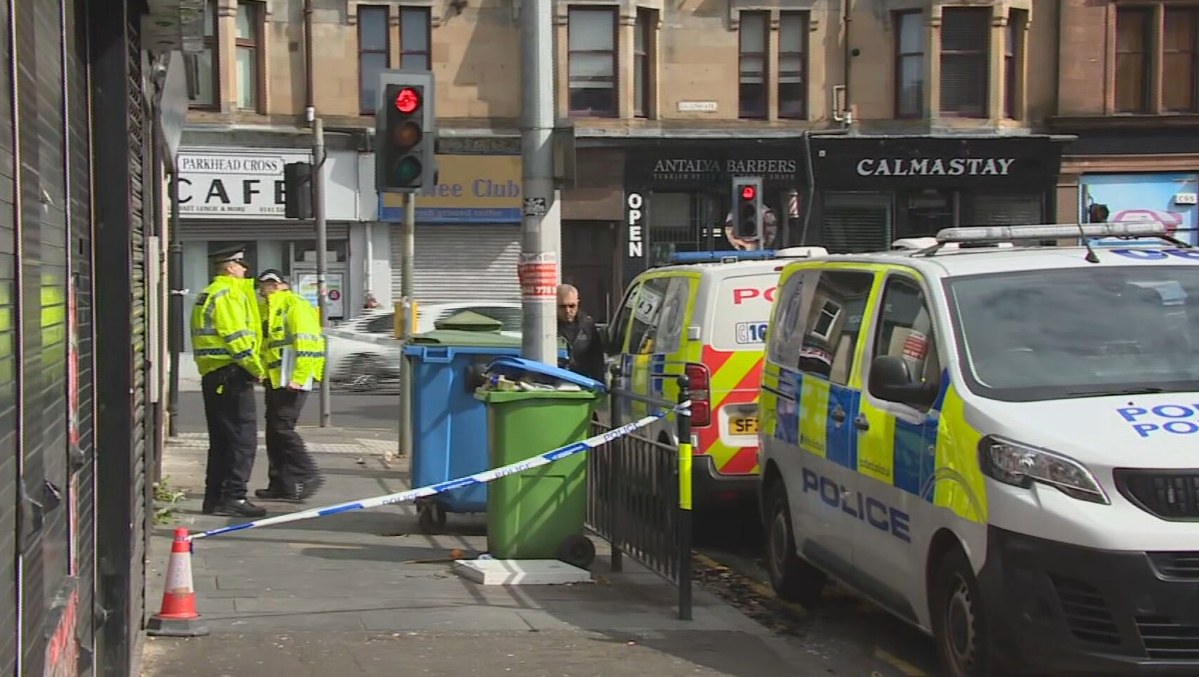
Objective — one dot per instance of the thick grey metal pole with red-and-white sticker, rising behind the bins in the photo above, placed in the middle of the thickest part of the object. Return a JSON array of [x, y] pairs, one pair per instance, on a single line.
[[543, 227]]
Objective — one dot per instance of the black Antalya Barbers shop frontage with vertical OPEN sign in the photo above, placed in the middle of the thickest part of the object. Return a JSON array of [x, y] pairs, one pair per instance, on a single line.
[[678, 194]]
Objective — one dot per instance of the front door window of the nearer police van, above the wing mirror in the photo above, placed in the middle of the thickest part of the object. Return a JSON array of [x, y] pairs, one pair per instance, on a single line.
[[906, 330]]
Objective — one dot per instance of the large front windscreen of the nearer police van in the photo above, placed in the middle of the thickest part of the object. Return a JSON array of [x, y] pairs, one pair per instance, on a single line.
[[1079, 333]]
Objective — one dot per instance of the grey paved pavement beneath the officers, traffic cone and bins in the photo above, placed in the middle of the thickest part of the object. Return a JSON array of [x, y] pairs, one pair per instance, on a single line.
[[348, 596]]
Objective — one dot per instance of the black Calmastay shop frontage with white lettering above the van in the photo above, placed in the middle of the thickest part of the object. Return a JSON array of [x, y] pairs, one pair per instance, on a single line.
[[872, 191]]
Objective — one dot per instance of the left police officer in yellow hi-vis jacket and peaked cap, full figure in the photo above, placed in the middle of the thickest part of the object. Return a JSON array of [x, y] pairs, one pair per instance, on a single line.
[[226, 344]]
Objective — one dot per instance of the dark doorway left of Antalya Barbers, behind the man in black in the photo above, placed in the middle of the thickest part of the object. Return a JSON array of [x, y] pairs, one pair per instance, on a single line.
[[588, 264]]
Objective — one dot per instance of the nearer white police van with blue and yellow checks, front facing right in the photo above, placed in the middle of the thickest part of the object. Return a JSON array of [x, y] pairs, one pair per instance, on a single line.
[[997, 444]]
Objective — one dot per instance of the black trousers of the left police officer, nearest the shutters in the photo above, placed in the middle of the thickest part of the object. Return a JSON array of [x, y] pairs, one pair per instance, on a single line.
[[233, 433]]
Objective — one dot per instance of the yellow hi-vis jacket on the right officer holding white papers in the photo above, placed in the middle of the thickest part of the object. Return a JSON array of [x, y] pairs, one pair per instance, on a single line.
[[294, 349]]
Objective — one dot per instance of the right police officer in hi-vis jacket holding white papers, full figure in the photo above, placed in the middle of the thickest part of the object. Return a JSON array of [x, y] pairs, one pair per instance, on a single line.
[[294, 356]]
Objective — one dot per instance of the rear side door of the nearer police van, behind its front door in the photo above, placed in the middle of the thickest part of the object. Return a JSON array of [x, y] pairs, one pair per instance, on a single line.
[[828, 406]]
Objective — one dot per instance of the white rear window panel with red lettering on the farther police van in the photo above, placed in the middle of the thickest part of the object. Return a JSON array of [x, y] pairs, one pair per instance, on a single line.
[[743, 311]]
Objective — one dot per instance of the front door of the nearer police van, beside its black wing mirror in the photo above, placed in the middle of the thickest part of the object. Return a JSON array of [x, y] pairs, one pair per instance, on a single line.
[[897, 445]]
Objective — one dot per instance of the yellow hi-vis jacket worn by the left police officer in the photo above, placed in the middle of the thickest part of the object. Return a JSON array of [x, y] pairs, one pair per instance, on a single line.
[[227, 328]]
